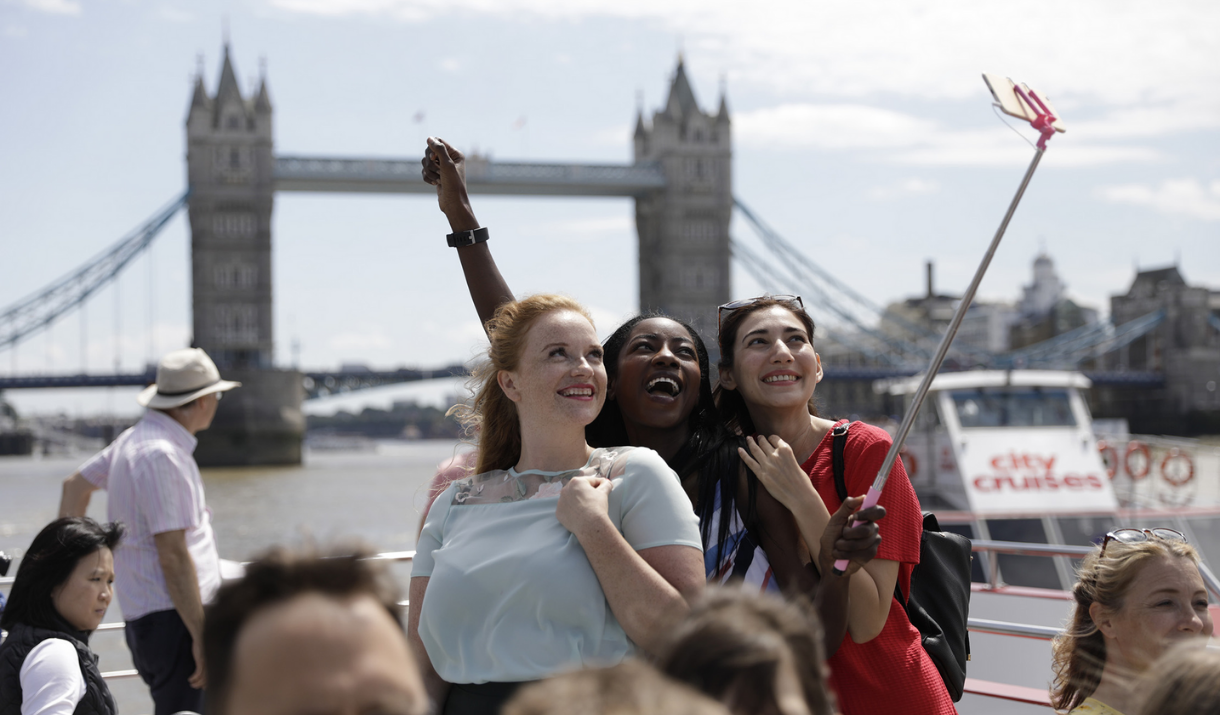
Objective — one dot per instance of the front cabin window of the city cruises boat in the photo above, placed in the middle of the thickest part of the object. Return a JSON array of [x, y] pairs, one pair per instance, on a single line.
[[1014, 408]]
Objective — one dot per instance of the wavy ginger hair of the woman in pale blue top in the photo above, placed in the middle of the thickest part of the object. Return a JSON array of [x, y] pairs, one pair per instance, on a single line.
[[492, 415]]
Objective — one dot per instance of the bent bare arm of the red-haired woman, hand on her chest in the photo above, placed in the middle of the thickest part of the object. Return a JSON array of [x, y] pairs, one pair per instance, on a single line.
[[648, 591]]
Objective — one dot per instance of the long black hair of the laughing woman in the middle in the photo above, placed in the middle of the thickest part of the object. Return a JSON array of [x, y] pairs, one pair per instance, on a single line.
[[711, 450]]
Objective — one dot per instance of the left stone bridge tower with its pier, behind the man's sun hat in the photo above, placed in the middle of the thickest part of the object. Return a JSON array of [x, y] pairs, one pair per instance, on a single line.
[[230, 169]]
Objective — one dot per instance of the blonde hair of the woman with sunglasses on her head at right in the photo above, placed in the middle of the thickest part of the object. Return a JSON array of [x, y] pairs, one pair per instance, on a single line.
[[1079, 655]]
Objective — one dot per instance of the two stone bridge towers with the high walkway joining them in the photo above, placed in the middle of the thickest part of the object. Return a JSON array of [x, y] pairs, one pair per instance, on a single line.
[[681, 182]]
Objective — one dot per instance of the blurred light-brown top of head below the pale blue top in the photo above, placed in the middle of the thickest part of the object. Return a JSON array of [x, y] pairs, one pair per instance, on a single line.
[[629, 689]]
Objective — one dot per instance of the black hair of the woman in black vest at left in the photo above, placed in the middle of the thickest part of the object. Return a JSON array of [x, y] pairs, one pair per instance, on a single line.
[[47, 566]]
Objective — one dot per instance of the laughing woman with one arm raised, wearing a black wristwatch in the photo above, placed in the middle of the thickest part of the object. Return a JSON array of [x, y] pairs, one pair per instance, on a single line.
[[661, 397]]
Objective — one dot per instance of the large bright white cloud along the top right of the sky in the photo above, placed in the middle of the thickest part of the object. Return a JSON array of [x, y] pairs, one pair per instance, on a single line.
[[1089, 53]]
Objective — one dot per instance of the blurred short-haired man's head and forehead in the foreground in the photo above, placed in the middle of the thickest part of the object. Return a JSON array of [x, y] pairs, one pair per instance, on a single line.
[[304, 634]]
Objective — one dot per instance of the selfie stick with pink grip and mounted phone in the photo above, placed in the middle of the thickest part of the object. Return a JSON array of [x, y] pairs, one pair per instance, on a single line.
[[1023, 103]]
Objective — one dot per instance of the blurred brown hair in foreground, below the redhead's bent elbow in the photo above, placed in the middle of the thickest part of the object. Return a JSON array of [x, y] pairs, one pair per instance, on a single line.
[[735, 642]]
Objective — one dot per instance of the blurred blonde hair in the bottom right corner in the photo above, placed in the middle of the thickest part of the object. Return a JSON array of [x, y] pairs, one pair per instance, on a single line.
[[1185, 680]]
